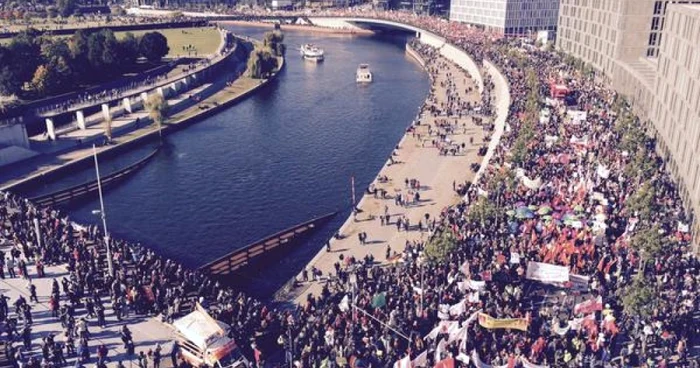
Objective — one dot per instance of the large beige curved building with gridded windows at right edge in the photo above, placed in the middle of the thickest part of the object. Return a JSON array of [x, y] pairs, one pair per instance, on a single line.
[[649, 50]]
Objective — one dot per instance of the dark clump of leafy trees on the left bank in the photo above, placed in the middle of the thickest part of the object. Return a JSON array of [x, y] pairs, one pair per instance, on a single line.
[[35, 66]]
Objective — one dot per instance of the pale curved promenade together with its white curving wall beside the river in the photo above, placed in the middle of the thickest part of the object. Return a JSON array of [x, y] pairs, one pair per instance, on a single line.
[[414, 159]]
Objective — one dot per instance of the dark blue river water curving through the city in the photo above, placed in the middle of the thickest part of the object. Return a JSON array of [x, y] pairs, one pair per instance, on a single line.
[[278, 158]]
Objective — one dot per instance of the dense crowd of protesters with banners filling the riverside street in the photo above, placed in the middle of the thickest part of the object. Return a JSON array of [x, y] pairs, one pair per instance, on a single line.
[[602, 209]]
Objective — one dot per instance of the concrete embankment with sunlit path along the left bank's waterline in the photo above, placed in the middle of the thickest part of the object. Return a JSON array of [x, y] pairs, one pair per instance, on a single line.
[[240, 89]]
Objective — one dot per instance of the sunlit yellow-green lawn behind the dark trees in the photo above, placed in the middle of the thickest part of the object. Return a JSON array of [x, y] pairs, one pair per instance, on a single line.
[[203, 41]]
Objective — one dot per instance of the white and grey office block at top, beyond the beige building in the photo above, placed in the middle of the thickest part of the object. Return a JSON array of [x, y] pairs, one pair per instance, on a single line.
[[507, 16]]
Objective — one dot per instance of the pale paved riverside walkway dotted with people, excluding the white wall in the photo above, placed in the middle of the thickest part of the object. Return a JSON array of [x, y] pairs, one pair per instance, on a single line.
[[415, 159]]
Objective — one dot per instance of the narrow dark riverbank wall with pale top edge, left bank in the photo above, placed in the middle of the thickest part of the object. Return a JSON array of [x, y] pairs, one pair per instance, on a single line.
[[150, 136]]
